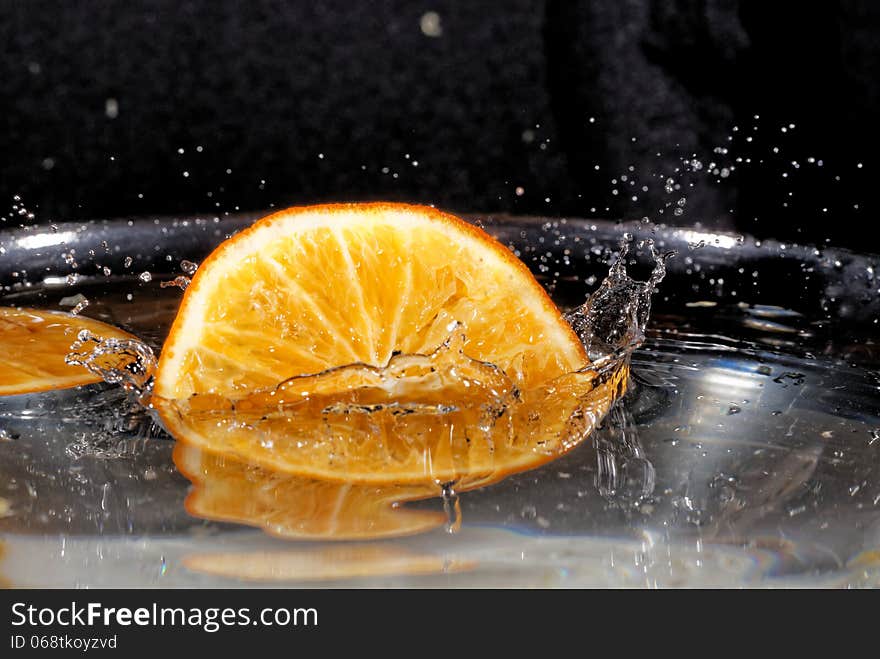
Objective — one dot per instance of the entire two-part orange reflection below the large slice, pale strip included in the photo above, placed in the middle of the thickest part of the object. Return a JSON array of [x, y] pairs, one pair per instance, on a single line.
[[293, 507]]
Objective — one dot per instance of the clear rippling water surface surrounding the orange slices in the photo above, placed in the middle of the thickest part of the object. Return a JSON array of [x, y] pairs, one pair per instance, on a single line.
[[743, 453]]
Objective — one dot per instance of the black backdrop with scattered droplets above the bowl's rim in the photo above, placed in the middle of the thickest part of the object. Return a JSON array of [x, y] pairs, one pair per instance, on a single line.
[[526, 106]]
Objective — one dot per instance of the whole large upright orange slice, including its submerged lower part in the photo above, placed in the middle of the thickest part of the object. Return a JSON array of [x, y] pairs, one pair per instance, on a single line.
[[373, 343]]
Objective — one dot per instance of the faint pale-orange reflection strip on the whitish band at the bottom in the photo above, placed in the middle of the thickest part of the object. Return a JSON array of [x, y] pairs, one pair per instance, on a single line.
[[325, 564]]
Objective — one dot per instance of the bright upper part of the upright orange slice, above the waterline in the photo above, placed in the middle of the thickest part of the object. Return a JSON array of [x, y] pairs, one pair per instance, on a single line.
[[308, 289]]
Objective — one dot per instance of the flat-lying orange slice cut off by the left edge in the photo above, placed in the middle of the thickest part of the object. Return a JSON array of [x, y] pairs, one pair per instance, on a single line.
[[33, 345]]
